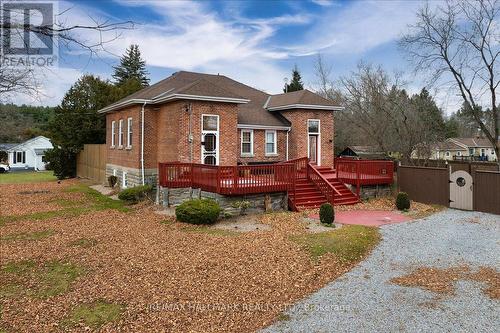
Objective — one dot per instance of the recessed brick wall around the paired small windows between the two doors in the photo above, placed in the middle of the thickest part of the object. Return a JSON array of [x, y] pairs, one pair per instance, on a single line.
[[259, 146]]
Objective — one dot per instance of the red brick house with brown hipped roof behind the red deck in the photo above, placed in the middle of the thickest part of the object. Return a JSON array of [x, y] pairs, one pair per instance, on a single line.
[[212, 119]]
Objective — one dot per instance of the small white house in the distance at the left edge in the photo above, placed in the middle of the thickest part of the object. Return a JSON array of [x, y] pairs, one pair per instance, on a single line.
[[29, 154]]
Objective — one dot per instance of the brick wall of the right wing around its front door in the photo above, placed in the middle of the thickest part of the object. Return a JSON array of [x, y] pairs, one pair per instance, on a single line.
[[298, 137]]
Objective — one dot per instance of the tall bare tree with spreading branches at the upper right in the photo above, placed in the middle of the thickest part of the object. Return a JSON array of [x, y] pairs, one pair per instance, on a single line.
[[461, 41]]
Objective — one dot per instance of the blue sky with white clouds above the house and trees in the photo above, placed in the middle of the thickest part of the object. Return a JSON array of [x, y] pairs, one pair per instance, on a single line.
[[255, 42]]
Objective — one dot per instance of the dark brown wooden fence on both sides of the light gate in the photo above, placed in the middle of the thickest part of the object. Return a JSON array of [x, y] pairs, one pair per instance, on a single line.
[[431, 185]]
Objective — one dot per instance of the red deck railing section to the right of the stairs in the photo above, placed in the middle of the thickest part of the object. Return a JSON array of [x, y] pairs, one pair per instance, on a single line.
[[364, 172]]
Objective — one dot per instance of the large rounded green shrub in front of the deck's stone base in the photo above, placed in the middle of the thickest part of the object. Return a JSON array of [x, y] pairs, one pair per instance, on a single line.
[[198, 211]]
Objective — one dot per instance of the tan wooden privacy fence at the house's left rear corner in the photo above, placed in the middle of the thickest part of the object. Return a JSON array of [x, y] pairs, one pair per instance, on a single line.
[[91, 162]]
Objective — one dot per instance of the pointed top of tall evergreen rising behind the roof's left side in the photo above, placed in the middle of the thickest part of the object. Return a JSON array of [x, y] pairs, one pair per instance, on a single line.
[[132, 67]]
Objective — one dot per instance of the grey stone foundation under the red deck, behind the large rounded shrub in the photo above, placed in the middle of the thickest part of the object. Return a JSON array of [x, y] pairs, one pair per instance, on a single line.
[[231, 205]]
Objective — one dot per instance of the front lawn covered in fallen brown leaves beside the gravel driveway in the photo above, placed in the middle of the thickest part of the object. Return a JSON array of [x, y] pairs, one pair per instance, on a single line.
[[73, 260]]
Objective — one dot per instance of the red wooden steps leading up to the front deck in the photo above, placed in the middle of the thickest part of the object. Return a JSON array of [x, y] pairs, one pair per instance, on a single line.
[[308, 196]]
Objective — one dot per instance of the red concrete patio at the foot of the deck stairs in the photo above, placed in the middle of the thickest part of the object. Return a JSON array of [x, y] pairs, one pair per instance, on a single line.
[[371, 218]]
